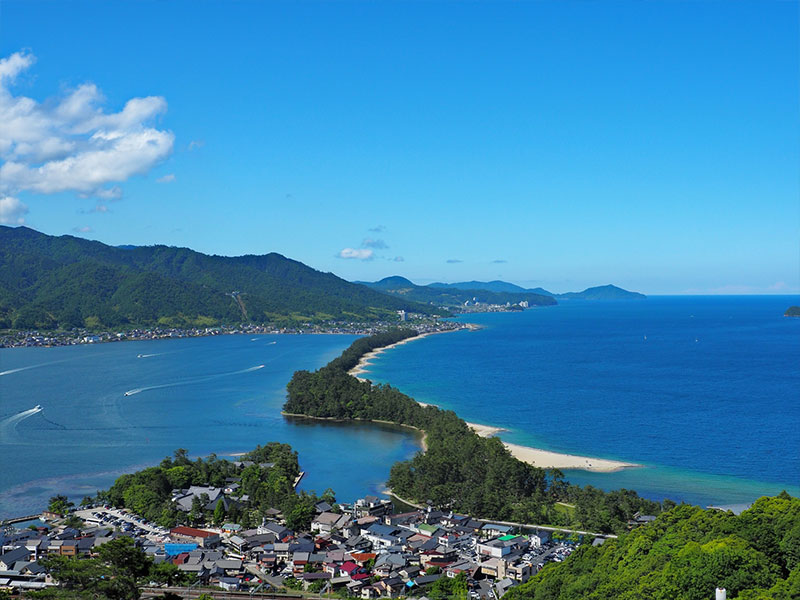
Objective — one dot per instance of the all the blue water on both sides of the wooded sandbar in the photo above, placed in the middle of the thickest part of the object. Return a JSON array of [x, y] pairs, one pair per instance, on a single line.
[[703, 392]]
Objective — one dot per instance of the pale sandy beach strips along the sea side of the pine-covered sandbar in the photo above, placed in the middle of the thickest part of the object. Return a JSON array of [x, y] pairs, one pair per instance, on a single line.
[[544, 459]]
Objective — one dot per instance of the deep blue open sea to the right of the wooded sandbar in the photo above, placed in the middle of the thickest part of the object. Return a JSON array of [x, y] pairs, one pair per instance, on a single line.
[[704, 391]]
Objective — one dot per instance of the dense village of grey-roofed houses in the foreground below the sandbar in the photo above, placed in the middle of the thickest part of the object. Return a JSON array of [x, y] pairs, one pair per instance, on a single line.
[[365, 550]]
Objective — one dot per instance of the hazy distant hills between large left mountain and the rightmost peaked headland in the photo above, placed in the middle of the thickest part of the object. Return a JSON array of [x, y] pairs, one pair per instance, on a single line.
[[451, 296]]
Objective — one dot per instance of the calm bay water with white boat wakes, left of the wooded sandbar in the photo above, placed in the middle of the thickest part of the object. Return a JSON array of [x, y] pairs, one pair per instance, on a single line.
[[203, 394]]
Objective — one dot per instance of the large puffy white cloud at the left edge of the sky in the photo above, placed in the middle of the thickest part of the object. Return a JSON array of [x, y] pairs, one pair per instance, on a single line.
[[70, 143]]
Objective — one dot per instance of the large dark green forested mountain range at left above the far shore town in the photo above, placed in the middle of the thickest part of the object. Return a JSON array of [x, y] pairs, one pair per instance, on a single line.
[[65, 282]]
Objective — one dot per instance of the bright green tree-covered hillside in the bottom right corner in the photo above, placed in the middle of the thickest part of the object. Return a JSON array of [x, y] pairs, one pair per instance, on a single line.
[[684, 555]]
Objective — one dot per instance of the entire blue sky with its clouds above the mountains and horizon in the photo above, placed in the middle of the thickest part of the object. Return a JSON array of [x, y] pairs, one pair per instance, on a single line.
[[564, 144]]
